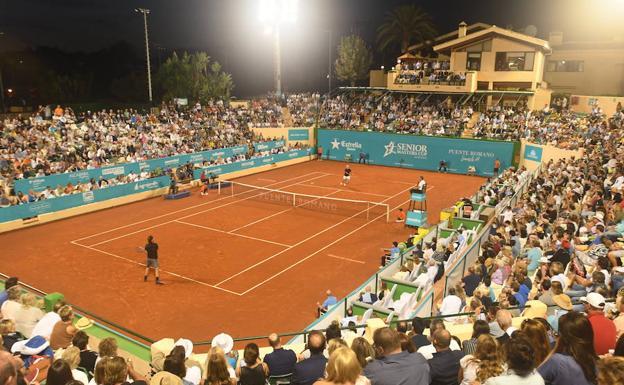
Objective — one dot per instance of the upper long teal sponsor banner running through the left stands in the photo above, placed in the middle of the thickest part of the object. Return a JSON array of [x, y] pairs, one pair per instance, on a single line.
[[108, 172]]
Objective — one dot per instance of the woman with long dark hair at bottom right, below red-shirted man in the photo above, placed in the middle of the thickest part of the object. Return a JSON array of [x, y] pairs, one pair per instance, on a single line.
[[574, 359]]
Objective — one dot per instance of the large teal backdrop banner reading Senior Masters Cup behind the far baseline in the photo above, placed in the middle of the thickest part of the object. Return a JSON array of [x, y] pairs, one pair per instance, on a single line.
[[420, 152]]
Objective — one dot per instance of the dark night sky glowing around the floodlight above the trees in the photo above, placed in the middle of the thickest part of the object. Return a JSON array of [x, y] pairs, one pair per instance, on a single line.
[[230, 32]]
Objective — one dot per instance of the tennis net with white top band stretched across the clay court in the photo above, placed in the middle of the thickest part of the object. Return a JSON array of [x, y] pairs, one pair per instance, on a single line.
[[339, 206]]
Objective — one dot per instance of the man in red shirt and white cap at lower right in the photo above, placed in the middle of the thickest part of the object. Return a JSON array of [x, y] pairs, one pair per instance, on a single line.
[[604, 328]]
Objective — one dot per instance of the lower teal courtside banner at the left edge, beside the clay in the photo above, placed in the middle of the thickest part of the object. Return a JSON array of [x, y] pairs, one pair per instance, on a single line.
[[65, 202]]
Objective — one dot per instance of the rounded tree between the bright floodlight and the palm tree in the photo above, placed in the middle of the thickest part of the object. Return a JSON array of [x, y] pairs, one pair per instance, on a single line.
[[354, 59]]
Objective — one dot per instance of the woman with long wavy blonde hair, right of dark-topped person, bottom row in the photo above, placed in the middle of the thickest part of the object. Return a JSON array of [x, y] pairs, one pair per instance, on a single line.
[[486, 362]]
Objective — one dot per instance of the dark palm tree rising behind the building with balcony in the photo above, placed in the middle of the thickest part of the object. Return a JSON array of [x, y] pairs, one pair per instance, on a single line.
[[404, 26]]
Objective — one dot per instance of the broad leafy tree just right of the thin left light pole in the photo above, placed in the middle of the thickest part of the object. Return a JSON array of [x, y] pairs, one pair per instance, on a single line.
[[193, 76]]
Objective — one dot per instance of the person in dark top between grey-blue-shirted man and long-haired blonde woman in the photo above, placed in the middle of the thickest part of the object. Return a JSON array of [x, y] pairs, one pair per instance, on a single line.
[[444, 366]]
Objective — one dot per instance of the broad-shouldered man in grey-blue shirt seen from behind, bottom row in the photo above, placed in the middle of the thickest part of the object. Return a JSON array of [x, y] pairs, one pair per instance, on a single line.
[[393, 366]]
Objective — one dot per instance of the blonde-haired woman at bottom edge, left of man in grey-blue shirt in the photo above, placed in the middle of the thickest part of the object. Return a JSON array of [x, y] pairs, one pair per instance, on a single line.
[[343, 368]]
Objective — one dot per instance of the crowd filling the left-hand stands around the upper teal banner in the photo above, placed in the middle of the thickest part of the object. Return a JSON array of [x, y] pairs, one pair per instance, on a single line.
[[60, 141]]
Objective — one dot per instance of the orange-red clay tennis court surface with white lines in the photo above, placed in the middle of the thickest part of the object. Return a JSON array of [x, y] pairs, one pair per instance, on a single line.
[[230, 264]]
